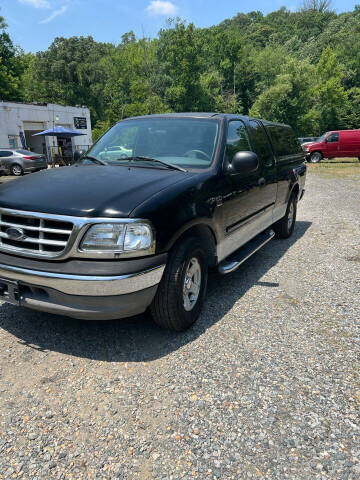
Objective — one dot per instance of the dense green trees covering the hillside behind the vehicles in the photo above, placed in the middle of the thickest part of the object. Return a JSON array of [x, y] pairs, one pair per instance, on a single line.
[[301, 68]]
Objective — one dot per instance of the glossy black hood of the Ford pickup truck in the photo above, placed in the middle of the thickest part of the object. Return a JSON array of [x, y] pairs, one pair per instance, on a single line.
[[88, 191]]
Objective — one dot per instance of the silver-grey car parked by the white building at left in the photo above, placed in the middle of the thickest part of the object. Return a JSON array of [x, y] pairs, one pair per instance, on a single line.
[[17, 161]]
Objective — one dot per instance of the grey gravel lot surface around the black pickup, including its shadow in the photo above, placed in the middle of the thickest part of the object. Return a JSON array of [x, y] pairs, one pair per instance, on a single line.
[[266, 385]]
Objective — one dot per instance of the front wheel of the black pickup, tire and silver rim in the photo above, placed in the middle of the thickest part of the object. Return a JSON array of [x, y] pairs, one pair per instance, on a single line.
[[174, 306]]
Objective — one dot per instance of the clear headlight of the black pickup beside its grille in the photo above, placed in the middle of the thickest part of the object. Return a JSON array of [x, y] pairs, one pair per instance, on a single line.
[[118, 238]]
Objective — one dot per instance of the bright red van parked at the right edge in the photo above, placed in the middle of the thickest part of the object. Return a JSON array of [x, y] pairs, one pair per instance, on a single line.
[[339, 143]]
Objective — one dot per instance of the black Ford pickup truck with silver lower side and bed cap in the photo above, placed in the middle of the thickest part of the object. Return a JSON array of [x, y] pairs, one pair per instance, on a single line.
[[140, 218]]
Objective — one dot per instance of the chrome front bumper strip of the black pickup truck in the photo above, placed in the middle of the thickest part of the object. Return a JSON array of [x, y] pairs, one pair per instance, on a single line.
[[100, 286]]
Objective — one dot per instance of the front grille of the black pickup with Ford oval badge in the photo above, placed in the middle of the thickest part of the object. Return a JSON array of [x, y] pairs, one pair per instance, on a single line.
[[33, 234]]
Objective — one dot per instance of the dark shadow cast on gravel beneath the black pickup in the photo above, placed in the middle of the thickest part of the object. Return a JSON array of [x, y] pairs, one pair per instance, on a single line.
[[138, 339]]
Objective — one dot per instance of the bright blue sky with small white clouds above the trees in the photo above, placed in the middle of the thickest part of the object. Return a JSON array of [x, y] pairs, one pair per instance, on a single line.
[[33, 24]]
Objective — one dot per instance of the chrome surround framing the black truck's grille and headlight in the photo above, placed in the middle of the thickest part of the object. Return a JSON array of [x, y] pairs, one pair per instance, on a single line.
[[80, 225]]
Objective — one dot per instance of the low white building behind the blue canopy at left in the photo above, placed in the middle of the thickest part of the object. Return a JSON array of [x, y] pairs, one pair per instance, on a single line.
[[19, 122]]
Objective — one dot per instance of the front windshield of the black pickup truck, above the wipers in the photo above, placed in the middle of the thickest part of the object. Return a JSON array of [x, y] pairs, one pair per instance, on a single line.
[[184, 142]]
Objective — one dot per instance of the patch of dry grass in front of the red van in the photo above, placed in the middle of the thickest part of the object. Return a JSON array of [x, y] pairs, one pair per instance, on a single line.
[[337, 168]]
